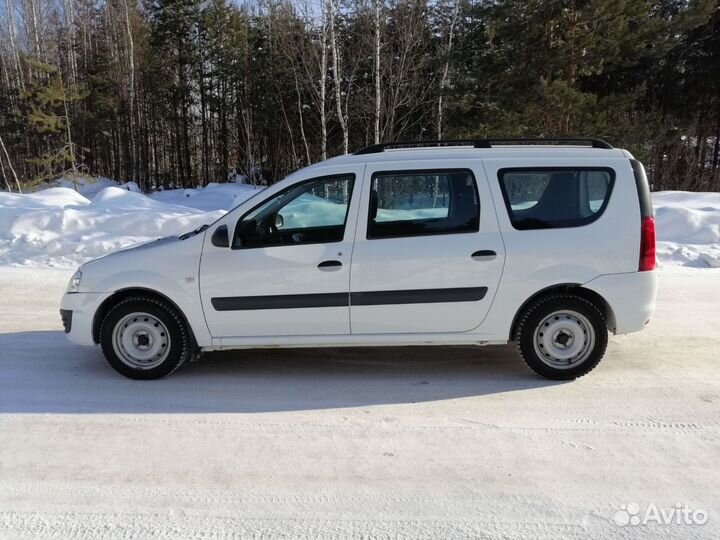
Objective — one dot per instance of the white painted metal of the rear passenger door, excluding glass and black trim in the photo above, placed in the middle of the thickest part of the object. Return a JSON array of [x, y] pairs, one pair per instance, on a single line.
[[425, 262]]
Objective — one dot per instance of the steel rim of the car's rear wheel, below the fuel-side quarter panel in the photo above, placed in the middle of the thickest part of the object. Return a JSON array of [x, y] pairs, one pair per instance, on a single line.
[[564, 339]]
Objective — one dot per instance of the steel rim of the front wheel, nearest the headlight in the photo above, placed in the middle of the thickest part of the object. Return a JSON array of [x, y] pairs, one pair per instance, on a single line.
[[141, 341]]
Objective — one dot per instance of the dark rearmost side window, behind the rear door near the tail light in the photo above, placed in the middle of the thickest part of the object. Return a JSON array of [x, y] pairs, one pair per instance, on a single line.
[[549, 198]]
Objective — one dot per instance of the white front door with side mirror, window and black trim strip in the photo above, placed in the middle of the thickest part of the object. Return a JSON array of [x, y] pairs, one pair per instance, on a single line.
[[287, 271]]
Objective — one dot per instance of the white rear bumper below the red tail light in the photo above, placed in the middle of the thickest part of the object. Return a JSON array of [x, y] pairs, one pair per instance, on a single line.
[[631, 298]]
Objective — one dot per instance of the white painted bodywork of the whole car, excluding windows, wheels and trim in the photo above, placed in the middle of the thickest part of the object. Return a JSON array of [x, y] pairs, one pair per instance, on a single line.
[[602, 256]]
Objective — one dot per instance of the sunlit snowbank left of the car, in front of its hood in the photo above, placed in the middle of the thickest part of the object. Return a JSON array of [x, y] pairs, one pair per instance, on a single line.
[[60, 227]]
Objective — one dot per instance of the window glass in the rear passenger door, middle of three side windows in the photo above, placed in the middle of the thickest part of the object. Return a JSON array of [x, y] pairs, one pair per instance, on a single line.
[[415, 203]]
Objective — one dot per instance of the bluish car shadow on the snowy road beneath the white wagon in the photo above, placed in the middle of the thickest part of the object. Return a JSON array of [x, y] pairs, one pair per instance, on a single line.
[[41, 372]]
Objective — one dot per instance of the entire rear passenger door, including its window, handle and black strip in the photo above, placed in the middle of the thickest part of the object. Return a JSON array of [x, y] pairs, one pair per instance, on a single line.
[[428, 254]]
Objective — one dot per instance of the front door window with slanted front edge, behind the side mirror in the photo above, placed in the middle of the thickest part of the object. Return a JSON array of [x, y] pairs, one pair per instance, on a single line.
[[311, 212]]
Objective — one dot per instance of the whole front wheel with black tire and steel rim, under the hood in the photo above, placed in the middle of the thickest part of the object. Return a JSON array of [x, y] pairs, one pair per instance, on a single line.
[[144, 338]]
